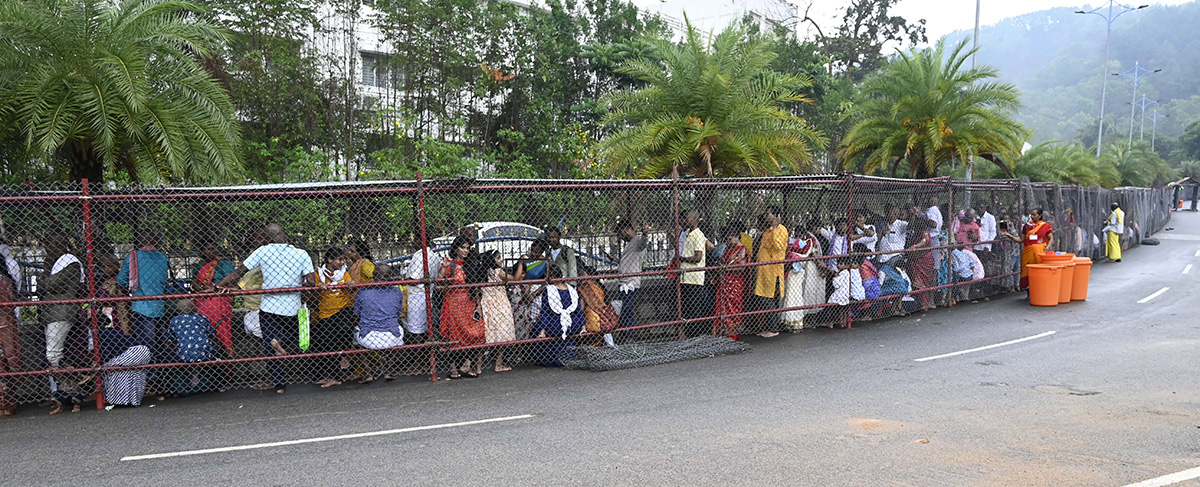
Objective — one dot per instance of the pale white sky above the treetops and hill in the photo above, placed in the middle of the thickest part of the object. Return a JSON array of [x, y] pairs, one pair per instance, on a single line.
[[941, 17]]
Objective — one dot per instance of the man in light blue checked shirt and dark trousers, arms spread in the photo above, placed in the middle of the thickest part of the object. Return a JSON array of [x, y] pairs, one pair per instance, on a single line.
[[284, 267]]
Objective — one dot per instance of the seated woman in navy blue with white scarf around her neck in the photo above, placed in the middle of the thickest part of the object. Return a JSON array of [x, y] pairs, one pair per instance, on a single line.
[[562, 318]]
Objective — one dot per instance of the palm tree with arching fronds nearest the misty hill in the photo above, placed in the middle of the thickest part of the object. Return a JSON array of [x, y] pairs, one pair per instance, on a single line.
[[927, 110]]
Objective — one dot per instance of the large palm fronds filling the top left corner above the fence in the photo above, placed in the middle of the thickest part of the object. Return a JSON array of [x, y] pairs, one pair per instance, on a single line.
[[117, 88]]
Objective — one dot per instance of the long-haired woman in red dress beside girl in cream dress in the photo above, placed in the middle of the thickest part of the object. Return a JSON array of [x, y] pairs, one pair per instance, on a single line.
[[461, 320]]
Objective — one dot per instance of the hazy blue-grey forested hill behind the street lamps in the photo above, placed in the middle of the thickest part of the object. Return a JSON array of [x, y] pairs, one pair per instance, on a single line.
[[1055, 57]]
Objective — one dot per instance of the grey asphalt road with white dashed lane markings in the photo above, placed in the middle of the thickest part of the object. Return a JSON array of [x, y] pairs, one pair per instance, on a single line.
[[1112, 399]]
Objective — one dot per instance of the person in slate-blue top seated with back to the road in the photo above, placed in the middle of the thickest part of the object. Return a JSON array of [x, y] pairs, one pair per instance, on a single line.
[[380, 311]]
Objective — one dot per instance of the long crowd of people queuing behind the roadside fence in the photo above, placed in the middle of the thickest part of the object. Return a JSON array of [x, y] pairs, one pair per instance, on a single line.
[[758, 276]]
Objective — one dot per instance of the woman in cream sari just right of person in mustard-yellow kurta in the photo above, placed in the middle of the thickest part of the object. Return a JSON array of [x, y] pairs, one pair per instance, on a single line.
[[806, 284]]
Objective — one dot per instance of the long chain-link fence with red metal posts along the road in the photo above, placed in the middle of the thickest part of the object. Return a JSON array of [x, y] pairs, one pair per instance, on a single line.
[[116, 294]]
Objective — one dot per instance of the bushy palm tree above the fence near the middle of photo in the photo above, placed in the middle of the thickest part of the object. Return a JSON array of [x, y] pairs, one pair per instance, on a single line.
[[711, 110]]
